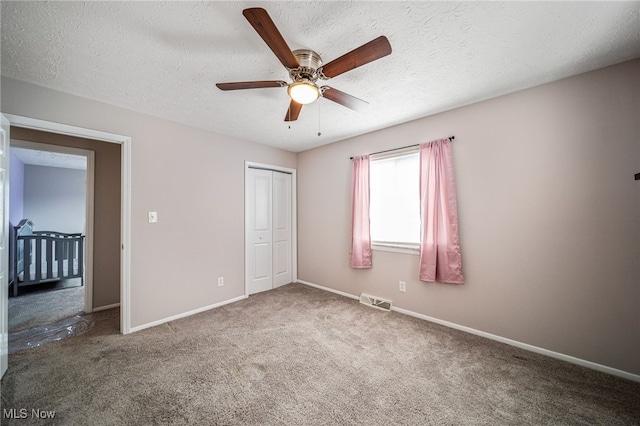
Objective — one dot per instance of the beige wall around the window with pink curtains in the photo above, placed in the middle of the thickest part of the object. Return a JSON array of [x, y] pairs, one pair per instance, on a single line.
[[549, 218]]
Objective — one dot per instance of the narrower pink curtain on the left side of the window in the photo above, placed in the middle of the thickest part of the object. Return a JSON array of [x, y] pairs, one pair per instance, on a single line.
[[360, 230]]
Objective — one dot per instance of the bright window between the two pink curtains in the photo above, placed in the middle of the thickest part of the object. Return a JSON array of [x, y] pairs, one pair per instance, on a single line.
[[395, 201]]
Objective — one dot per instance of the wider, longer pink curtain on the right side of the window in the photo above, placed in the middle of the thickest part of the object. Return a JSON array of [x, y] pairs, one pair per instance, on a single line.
[[440, 258]]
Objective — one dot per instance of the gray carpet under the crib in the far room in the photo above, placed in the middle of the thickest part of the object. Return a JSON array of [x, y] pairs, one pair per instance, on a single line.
[[47, 303]]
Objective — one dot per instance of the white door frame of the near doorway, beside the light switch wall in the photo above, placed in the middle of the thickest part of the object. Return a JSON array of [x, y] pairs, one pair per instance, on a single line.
[[125, 194]]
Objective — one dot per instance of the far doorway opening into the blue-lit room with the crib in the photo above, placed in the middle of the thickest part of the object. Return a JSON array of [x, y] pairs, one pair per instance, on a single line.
[[51, 187]]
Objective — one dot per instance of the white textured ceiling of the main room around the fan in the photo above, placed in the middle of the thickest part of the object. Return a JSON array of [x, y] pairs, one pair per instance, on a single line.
[[164, 58]]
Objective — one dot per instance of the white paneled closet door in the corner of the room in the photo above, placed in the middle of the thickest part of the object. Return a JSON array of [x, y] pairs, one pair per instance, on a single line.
[[268, 230]]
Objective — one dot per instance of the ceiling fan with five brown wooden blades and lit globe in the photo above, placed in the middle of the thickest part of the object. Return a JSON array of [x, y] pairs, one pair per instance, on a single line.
[[306, 68]]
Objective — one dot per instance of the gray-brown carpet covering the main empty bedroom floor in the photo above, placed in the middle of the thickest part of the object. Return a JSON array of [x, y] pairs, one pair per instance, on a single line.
[[301, 356]]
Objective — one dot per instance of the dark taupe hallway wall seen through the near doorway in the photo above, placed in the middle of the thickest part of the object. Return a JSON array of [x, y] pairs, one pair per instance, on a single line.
[[106, 230]]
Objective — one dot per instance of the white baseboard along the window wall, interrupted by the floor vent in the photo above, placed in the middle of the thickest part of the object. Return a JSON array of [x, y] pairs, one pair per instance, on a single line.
[[536, 349]]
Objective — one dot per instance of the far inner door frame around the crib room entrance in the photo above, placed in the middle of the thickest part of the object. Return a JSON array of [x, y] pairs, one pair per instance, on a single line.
[[90, 155]]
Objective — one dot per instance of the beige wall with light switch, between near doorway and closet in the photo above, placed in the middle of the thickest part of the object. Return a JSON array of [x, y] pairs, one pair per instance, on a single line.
[[194, 179]]
